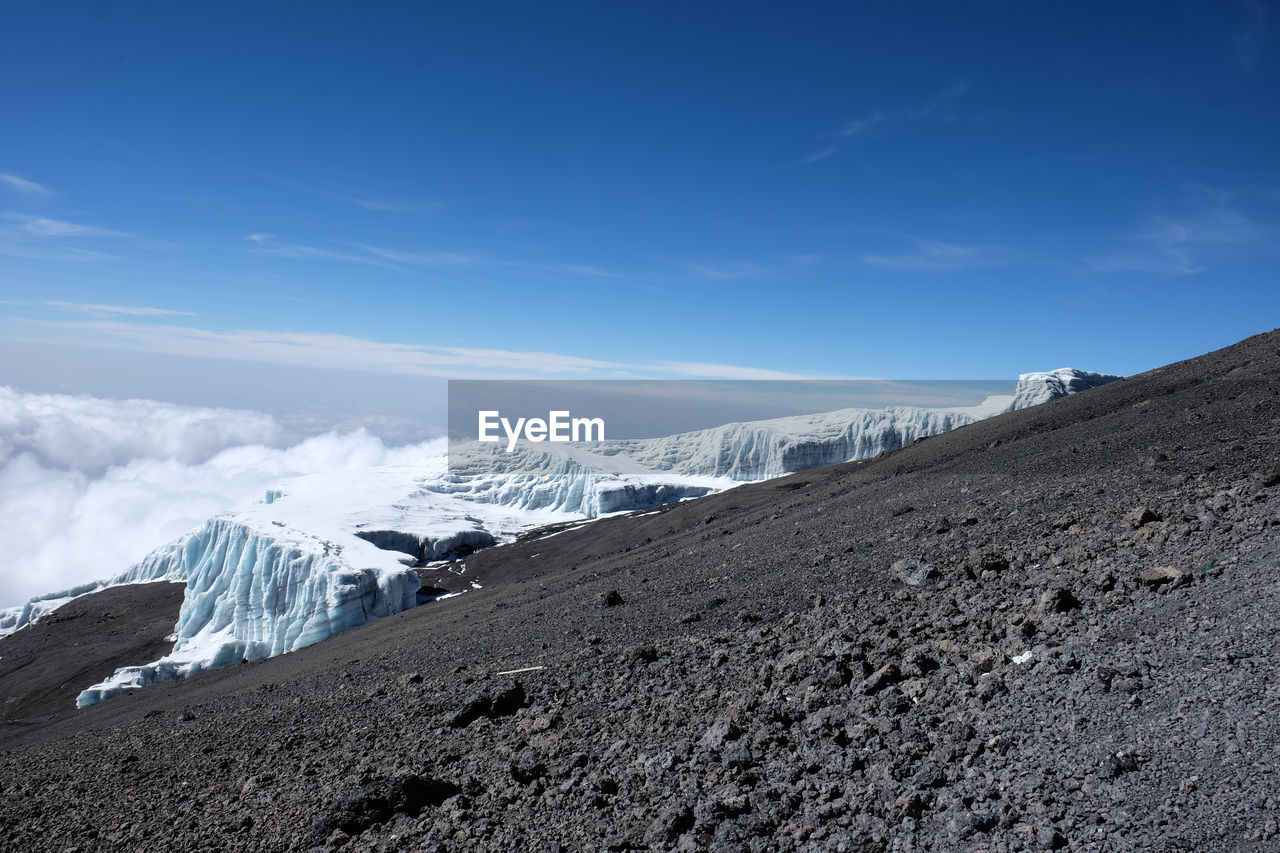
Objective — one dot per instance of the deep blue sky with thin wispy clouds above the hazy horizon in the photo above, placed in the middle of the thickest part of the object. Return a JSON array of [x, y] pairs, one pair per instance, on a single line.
[[641, 189]]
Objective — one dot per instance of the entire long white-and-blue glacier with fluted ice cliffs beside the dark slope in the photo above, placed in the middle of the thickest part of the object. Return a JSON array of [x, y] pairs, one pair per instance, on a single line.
[[328, 553]]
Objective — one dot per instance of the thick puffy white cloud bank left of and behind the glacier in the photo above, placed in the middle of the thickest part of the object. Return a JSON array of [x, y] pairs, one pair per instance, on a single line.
[[92, 486]]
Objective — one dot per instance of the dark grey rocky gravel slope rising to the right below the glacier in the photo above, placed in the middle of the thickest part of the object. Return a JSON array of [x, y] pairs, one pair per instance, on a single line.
[[1050, 631]]
